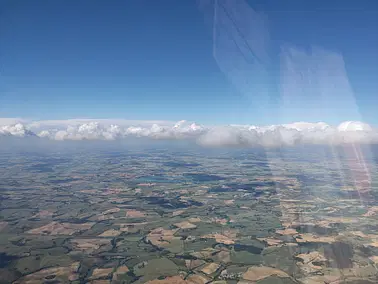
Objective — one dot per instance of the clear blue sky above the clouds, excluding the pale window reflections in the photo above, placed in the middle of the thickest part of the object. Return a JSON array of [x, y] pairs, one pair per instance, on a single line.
[[154, 60]]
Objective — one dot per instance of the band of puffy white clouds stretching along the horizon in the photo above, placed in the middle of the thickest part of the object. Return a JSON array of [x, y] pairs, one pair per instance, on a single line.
[[231, 135]]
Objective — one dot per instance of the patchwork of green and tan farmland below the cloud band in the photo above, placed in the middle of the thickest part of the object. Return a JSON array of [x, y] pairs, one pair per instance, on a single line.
[[168, 217]]
